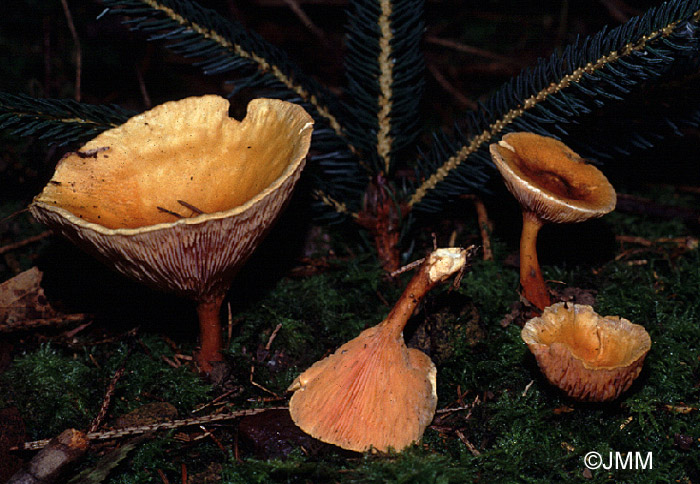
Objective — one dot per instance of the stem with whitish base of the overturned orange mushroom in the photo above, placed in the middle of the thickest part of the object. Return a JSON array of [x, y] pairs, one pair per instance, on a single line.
[[438, 266]]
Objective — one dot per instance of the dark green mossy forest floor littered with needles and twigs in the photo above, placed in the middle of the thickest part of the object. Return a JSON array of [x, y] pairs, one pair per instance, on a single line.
[[510, 424]]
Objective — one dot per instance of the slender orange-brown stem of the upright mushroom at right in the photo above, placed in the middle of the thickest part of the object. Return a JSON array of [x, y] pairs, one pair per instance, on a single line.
[[531, 280]]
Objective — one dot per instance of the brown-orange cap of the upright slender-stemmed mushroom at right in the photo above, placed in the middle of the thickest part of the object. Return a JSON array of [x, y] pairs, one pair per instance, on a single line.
[[551, 180]]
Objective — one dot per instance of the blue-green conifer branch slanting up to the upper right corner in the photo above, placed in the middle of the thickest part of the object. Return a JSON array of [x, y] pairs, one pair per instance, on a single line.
[[587, 75]]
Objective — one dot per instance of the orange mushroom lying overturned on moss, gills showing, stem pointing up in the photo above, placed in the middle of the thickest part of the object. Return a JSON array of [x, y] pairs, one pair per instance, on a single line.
[[374, 393]]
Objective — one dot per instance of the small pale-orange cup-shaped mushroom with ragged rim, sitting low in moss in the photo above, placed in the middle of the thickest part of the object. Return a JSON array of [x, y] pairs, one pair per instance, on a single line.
[[590, 357]]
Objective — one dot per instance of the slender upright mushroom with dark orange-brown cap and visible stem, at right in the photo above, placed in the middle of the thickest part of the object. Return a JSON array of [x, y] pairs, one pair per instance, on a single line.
[[552, 184]]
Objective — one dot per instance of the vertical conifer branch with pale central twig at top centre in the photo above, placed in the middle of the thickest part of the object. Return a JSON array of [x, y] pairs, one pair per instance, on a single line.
[[384, 67]]
